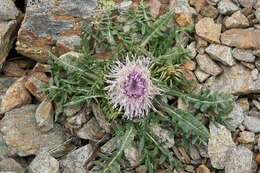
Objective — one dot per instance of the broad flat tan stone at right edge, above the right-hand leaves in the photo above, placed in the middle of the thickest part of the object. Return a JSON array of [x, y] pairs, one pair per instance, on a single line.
[[235, 80]]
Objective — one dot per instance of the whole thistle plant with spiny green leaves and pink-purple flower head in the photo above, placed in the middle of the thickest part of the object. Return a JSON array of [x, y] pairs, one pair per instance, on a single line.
[[137, 86]]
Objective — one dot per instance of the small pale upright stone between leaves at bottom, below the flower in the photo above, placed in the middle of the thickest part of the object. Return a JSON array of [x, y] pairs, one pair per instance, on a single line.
[[132, 155]]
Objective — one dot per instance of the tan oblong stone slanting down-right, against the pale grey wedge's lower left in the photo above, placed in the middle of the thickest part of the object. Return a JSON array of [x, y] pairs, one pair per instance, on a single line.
[[207, 65]]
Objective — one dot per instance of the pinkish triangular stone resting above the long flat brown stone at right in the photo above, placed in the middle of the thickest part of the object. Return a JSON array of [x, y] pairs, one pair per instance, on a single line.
[[237, 20]]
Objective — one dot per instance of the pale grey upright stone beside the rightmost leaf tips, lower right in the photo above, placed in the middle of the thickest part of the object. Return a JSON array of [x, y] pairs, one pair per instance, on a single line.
[[237, 116]]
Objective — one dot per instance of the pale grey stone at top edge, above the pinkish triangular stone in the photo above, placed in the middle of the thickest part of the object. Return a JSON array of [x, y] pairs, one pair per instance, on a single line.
[[227, 7]]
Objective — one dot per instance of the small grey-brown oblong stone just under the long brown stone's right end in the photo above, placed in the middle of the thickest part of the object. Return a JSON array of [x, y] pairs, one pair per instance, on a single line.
[[243, 55]]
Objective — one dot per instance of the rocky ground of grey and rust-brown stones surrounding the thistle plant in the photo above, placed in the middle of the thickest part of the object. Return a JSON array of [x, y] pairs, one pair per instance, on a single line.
[[225, 51]]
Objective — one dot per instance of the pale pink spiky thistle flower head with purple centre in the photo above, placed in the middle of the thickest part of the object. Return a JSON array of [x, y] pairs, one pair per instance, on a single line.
[[131, 88]]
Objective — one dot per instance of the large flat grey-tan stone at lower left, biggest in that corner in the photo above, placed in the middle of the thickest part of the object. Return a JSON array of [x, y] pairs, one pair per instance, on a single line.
[[23, 136]]
